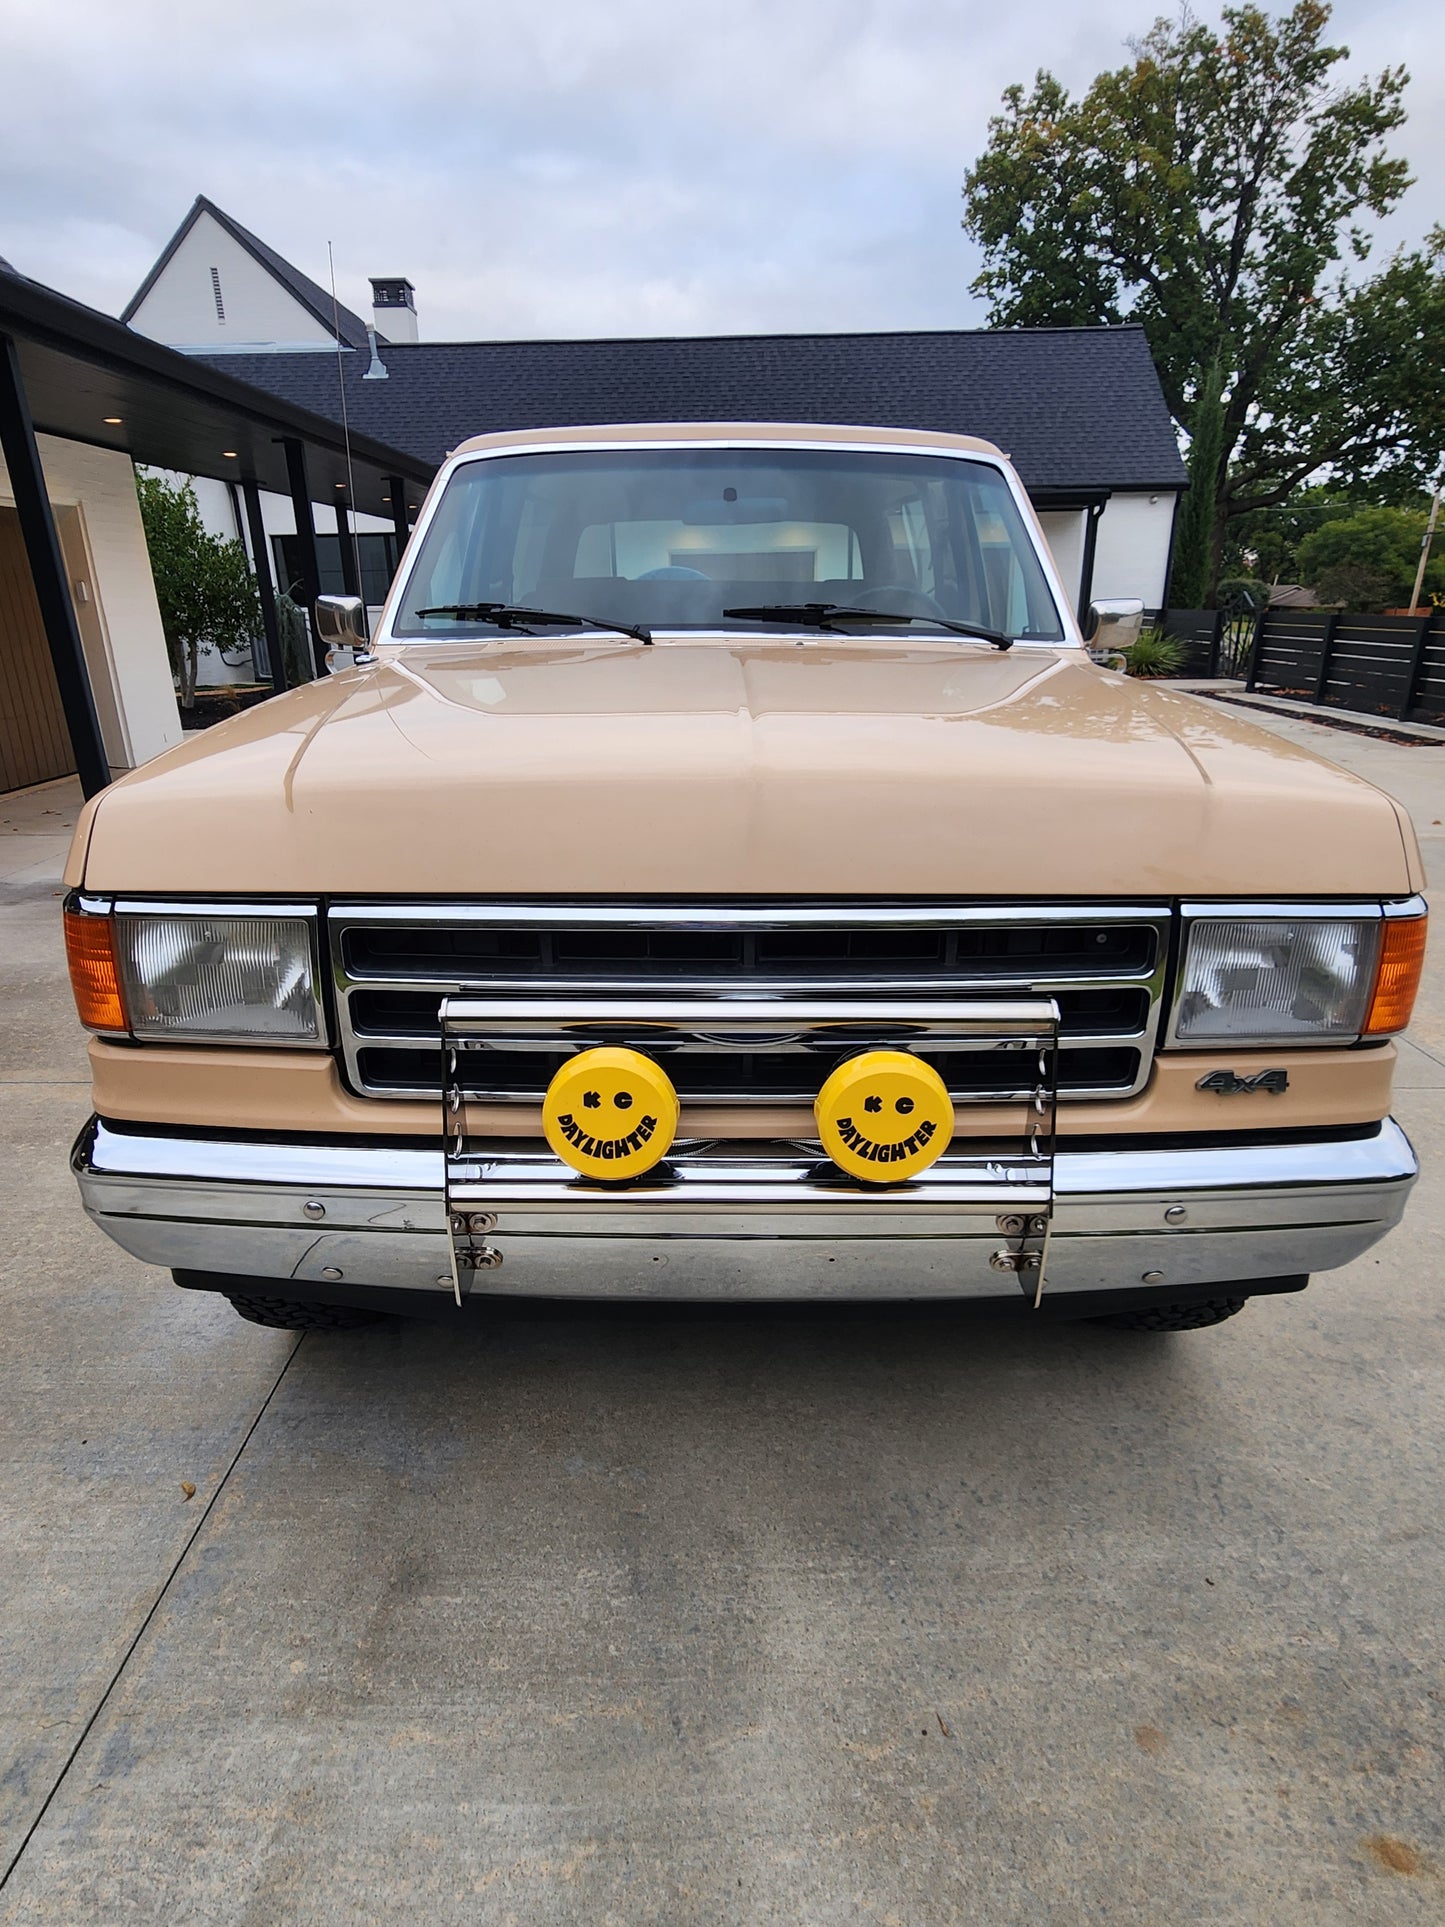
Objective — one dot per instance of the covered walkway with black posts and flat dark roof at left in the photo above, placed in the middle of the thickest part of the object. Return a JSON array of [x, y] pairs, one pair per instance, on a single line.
[[84, 673]]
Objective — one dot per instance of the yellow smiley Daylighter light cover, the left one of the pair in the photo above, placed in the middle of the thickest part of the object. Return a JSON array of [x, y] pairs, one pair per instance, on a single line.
[[612, 1113]]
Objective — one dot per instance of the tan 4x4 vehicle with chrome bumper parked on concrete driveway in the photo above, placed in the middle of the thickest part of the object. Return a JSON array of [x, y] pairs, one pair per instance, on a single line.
[[727, 876]]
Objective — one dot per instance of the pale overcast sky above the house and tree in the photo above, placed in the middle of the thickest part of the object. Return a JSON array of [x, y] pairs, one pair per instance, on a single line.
[[569, 167]]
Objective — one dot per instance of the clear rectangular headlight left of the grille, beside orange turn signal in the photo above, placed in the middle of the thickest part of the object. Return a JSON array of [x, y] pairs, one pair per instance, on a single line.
[[232, 980]]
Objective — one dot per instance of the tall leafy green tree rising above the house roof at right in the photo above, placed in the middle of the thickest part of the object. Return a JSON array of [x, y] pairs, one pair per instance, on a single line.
[[1209, 192]]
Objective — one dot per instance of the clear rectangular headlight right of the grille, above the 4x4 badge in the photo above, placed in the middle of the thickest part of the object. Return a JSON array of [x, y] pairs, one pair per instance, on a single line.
[[1276, 980]]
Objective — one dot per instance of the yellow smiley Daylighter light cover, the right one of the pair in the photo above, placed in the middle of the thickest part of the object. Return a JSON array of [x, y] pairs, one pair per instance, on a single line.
[[883, 1117]]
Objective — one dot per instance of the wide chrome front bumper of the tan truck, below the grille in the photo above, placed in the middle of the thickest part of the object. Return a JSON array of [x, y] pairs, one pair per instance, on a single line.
[[737, 1223]]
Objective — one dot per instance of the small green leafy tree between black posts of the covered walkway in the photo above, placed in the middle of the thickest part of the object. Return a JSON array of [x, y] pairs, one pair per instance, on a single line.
[[203, 583]]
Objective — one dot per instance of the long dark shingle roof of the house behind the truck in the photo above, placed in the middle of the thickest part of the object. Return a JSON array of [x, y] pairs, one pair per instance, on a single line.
[[1076, 408]]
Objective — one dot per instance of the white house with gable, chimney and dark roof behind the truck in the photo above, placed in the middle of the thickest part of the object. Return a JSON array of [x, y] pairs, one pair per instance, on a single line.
[[1080, 409]]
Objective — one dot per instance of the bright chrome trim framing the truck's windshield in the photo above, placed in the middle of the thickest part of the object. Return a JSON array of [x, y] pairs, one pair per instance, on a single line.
[[567, 444]]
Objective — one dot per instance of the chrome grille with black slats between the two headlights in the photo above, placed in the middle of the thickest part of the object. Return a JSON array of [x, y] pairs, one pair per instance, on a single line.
[[396, 963]]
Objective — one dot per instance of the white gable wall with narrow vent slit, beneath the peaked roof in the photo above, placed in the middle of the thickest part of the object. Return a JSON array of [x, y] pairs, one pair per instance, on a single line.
[[259, 311]]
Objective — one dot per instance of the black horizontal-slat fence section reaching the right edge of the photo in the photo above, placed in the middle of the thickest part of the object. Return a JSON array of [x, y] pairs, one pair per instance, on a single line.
[[1390, 666]]
